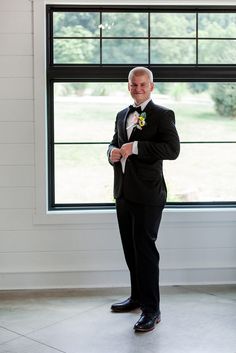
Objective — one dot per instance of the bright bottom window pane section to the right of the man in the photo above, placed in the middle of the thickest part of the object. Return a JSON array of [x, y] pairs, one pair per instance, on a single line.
[[207, 174]]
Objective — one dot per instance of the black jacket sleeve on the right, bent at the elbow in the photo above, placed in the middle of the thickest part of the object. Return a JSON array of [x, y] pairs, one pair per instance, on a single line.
[[166, 145]]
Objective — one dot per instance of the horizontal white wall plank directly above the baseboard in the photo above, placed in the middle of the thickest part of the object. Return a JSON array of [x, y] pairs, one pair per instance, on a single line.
[[112, 259]]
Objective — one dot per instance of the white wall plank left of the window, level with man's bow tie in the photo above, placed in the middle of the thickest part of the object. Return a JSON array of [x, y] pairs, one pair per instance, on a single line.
[[16, 110]]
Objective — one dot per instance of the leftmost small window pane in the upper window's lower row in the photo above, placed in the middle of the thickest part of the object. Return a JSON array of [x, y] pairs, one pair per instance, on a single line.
[[76, 51]]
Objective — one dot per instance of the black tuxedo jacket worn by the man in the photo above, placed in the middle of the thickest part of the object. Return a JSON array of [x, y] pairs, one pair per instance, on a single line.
[[143, 180]]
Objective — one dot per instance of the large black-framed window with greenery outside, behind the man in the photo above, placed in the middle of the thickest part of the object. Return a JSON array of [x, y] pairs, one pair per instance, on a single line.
[[192, 54]]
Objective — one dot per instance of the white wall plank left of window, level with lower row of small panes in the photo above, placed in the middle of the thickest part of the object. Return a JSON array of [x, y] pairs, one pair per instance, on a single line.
[[16, 44]]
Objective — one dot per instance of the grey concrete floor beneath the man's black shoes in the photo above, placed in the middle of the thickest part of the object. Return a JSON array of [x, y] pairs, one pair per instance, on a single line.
[[195, 319]]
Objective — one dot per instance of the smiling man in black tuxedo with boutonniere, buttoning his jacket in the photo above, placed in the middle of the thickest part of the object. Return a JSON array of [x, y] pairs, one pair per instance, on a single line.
[[145, 135]]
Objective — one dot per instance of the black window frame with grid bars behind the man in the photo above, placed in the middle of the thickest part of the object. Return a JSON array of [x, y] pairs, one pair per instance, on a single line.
[[118, 73]]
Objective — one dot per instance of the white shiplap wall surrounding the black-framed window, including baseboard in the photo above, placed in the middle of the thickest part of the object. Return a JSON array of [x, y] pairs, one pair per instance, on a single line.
[[195, 246]]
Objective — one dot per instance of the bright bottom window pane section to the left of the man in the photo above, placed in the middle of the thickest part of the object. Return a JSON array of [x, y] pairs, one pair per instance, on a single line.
[[83, 174]]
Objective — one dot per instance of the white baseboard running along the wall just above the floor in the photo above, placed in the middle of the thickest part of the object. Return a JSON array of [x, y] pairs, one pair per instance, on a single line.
[[113, 279]]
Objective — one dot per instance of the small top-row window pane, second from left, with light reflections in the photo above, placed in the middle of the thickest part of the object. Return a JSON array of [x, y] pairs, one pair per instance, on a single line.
[[125, 24]]
